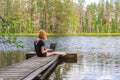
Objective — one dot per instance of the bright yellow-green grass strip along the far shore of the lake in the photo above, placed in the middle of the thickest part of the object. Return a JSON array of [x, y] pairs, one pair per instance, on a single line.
[[68, 34]]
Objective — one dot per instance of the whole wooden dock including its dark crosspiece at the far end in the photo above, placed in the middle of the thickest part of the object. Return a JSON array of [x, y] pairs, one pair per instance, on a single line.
[[33, 66]]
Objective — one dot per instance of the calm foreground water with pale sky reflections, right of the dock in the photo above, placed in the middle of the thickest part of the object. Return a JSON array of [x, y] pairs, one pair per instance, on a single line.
[[90, 67]]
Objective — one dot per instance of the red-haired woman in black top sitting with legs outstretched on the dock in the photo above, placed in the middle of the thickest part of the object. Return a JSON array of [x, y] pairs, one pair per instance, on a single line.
[[40, 46]]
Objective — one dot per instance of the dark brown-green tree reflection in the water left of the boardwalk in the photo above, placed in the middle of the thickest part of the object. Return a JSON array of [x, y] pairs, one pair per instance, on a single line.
[[11, 57]]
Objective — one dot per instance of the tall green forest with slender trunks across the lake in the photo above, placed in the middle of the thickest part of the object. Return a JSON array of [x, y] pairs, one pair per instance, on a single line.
[[59, 16]]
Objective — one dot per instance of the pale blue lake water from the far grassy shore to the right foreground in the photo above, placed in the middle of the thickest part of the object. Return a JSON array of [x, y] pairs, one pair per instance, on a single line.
[[98, 57]]
